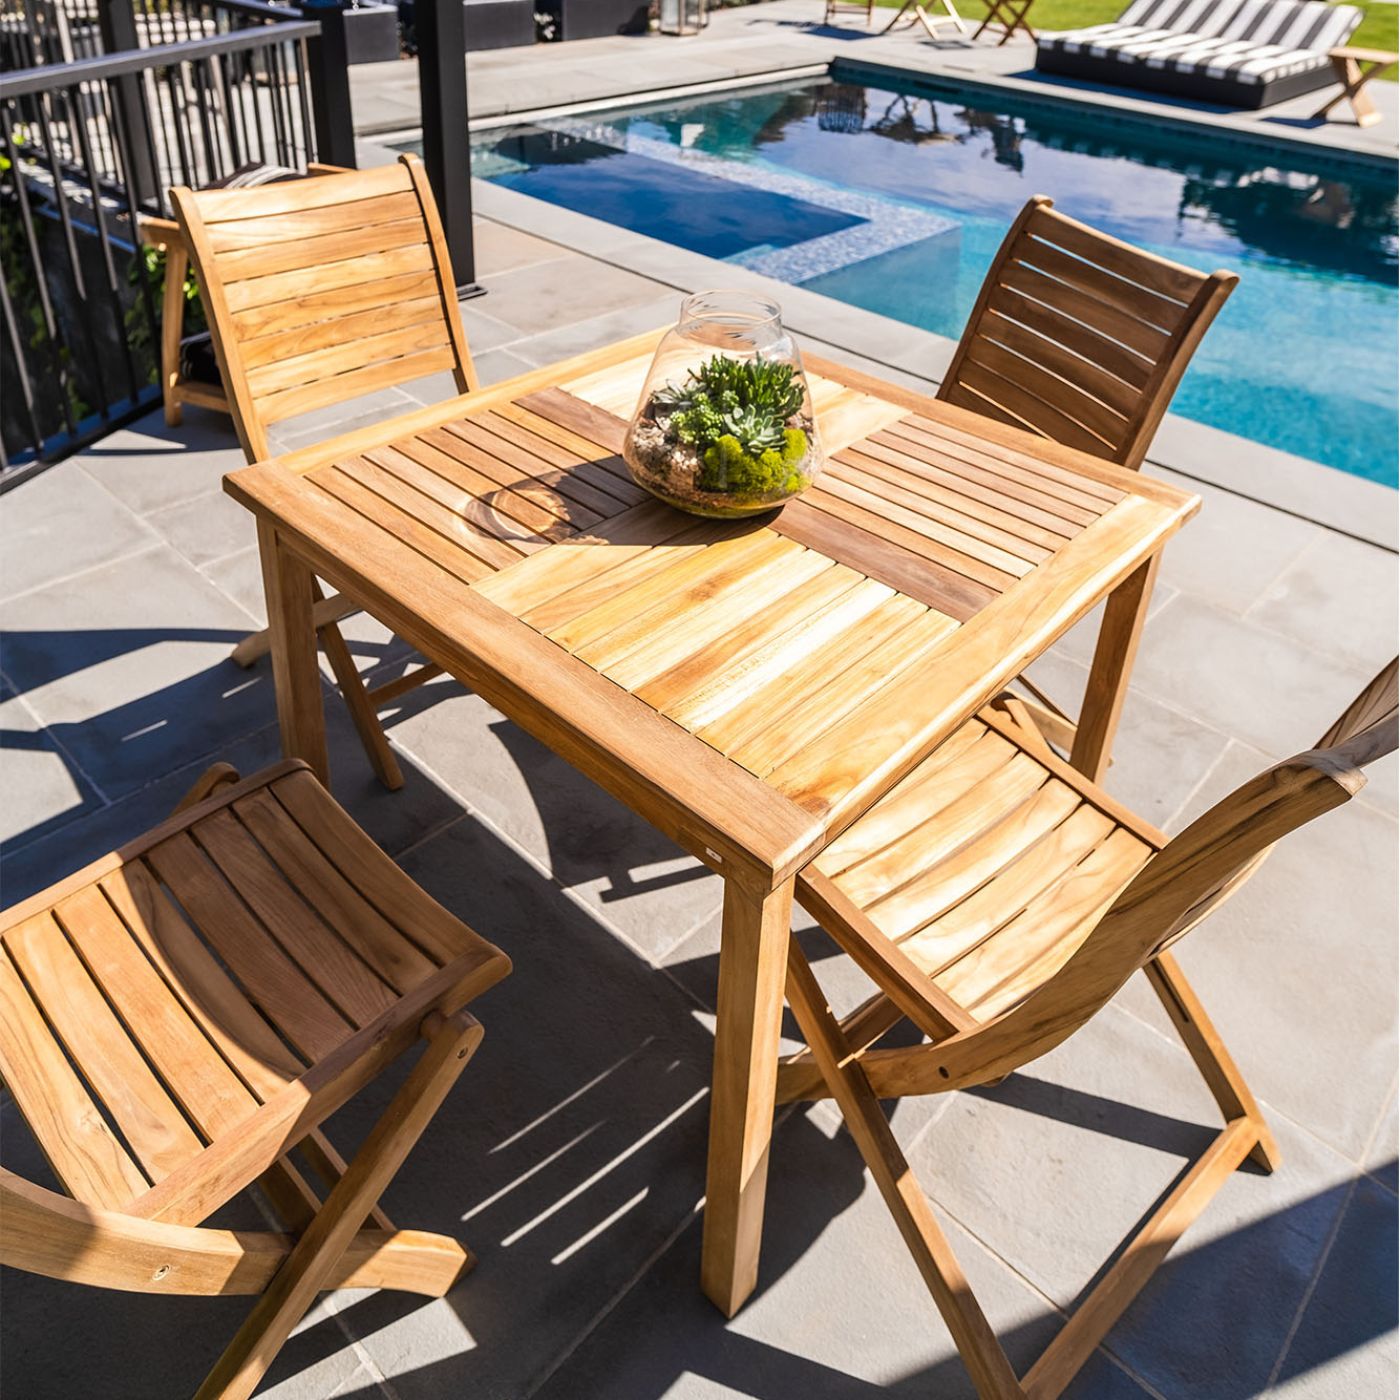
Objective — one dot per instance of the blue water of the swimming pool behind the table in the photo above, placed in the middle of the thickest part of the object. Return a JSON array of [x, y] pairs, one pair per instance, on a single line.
[[898, 202]]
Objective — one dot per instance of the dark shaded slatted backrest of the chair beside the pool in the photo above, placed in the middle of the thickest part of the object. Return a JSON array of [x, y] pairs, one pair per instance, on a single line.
[[1081, 338]]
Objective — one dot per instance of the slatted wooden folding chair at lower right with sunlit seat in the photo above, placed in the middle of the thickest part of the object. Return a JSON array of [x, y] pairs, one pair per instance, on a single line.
[[999, 899]]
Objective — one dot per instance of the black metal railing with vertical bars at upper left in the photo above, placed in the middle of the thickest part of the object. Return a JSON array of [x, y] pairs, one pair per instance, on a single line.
[[194, 93]]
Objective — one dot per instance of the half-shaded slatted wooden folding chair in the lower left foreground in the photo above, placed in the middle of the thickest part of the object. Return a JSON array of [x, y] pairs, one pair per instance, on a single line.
[[185, 1013]]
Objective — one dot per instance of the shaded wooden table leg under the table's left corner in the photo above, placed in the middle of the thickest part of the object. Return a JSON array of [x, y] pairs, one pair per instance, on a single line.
[[289, 589]]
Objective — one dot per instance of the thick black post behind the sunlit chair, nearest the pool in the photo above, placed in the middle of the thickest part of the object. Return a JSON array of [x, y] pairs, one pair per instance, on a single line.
[[446, 148]]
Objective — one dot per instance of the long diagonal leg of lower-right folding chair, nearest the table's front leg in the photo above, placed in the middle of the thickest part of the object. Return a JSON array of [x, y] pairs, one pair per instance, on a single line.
[[976, 1342]]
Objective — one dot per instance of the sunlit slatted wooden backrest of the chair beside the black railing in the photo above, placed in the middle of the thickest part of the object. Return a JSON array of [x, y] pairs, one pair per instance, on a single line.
[[324, 289]]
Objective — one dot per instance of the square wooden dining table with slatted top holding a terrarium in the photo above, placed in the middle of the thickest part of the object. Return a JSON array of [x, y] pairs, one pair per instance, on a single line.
[[750, 688]]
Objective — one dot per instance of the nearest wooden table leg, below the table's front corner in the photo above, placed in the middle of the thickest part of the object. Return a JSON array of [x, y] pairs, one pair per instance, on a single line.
[[752, 976]]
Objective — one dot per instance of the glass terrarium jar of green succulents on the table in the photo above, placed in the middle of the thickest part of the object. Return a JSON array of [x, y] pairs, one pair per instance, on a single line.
[[724, 425]]
